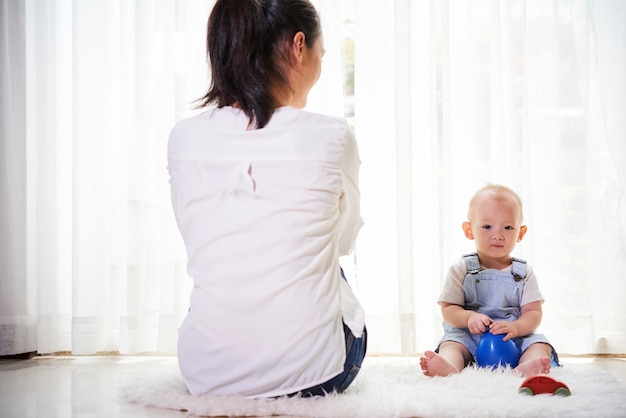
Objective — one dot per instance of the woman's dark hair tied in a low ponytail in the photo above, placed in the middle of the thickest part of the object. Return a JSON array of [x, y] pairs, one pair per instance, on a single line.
[[247, 46]]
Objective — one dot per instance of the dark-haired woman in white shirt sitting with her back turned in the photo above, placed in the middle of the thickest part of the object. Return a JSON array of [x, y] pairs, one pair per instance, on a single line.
[[266, 199]]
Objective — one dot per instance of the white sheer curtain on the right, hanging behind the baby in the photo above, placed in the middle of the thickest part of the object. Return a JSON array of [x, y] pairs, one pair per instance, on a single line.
[[451, 95]]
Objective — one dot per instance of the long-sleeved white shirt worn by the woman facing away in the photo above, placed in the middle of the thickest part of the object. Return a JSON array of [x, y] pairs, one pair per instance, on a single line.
[[265, 215]]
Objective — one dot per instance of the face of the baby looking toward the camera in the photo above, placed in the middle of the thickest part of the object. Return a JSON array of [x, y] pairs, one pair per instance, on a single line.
[[496, 226]]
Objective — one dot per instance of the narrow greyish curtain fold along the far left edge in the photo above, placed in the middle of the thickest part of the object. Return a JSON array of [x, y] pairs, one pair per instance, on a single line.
[[18, 297]]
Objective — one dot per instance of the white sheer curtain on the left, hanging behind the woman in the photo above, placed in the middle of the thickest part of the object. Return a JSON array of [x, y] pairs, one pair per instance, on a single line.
[[90, 258]]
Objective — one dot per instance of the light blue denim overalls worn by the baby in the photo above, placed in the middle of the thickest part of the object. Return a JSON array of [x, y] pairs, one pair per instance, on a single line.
[[497, 294]]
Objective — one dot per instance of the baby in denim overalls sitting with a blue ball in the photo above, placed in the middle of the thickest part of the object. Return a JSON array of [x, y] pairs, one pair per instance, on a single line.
[[489, 291]]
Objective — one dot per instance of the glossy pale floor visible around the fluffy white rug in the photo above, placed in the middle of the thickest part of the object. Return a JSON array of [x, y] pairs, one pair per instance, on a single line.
[[89, 386]]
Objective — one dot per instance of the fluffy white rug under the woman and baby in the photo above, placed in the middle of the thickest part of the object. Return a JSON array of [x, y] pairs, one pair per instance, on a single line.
[[395, 387]]
